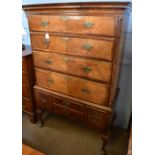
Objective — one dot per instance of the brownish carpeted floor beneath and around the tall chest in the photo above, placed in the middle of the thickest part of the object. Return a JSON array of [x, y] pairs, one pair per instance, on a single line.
[[59, 136]]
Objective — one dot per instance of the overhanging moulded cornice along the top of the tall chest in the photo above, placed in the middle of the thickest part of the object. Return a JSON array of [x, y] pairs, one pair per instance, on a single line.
[[121, 5]]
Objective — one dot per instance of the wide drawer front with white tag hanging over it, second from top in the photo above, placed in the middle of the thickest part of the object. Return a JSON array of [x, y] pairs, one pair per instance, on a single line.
[[91, 48]]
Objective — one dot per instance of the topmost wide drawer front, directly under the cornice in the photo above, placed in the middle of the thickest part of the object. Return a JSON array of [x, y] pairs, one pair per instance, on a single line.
[[100, 25]]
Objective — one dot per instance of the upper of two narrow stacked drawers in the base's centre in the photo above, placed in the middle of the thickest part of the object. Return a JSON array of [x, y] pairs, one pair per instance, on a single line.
[[67, 104]]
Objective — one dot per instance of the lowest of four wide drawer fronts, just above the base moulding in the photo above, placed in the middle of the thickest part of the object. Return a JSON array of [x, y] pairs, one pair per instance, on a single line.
[[76, 87]]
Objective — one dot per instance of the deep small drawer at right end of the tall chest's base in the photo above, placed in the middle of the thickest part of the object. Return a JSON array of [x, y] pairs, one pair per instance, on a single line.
[[97, 119]]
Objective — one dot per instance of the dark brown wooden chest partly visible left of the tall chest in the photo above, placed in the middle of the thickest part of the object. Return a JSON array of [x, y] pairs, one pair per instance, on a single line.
[[28, 81]]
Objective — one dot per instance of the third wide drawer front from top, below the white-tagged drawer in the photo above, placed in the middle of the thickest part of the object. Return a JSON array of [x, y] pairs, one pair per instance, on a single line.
[[88, 68]]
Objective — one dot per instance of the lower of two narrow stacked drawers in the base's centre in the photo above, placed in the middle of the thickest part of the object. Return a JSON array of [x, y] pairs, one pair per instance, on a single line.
[[67, 112]]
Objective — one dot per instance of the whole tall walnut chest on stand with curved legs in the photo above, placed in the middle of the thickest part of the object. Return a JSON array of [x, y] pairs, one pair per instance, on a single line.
[[77, 54]]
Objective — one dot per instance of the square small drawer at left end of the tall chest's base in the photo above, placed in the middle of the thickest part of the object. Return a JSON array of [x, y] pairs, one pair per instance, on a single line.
[[43, 100]]
